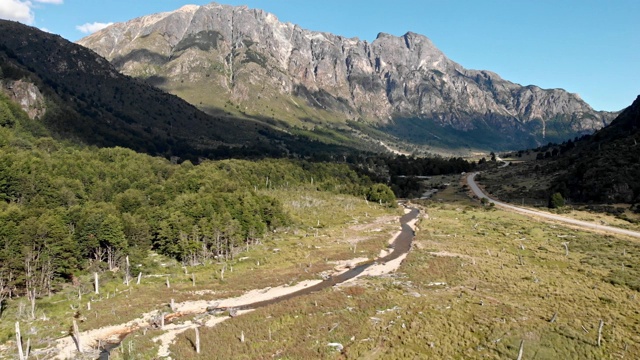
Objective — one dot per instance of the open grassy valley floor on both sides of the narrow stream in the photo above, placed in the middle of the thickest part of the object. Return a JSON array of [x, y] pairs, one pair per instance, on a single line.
[[479, 282]]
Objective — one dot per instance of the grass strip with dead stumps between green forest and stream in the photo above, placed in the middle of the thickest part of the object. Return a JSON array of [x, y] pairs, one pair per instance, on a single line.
[[324, 230]]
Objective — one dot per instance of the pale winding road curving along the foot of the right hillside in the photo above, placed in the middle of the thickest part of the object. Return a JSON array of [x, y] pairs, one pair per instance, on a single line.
[[582, 224]]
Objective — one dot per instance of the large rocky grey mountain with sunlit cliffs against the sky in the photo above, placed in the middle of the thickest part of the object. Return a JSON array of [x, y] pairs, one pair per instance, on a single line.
[[235, 59]]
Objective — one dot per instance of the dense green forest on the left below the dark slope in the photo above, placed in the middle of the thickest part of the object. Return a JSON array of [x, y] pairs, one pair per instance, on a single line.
[[65, 210]]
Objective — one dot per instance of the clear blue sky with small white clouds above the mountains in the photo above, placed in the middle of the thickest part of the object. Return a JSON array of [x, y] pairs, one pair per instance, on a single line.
[[587, 47]]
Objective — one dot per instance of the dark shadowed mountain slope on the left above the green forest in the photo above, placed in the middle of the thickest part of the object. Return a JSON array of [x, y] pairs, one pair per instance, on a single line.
[[72, 93]]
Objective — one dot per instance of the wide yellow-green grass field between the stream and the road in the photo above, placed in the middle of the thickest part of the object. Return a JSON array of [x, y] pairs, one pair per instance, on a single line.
[[477, 282]]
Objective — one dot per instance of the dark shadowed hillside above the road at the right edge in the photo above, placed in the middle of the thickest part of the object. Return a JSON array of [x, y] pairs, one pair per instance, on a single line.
[[592, 172]]
